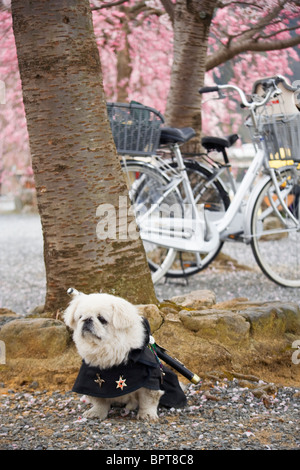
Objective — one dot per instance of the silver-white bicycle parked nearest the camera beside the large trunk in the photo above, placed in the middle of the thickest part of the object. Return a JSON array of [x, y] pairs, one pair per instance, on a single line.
[[172, 211]]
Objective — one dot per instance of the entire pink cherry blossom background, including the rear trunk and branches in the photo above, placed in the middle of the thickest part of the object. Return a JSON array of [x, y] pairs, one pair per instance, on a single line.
[[147, 55]]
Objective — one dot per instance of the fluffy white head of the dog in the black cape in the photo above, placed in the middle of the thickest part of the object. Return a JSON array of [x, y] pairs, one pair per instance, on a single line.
[[105, 328]]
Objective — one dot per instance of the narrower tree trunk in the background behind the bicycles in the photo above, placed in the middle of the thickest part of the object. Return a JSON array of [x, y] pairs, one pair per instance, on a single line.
[[192, 21]]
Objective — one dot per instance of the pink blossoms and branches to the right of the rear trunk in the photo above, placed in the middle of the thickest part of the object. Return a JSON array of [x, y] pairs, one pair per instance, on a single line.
[[244, 51]]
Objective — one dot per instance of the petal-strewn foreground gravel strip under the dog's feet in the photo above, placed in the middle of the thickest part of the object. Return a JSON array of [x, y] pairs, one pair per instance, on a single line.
[[220, 415]]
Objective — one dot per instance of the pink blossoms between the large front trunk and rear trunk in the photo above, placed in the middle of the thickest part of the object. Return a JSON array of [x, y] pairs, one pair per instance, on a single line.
[[135, 40]]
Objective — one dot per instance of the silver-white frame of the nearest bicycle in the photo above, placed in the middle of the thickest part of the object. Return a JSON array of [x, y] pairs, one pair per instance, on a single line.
[[194, 233]]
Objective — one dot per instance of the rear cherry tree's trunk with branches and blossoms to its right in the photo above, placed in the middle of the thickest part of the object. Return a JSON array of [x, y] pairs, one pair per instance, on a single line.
[[214, 32]]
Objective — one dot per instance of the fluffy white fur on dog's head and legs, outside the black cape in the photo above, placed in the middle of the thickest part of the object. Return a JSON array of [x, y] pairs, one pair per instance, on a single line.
[[108, 343]]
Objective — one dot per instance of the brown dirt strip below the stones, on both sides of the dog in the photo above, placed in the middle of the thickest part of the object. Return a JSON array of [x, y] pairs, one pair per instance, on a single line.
[[59, 373]]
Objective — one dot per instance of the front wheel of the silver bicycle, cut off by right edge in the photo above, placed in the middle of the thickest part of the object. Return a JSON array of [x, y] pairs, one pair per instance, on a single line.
[[276, 231]]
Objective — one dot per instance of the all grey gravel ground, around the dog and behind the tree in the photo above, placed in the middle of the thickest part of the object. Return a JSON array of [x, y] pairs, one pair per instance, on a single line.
[[222, 413]]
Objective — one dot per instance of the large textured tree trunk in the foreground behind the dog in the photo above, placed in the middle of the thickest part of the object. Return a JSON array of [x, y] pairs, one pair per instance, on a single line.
[[74, 159]]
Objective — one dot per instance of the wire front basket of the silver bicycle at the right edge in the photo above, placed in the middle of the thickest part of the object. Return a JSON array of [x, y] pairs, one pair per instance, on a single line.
[[281, 137]]
